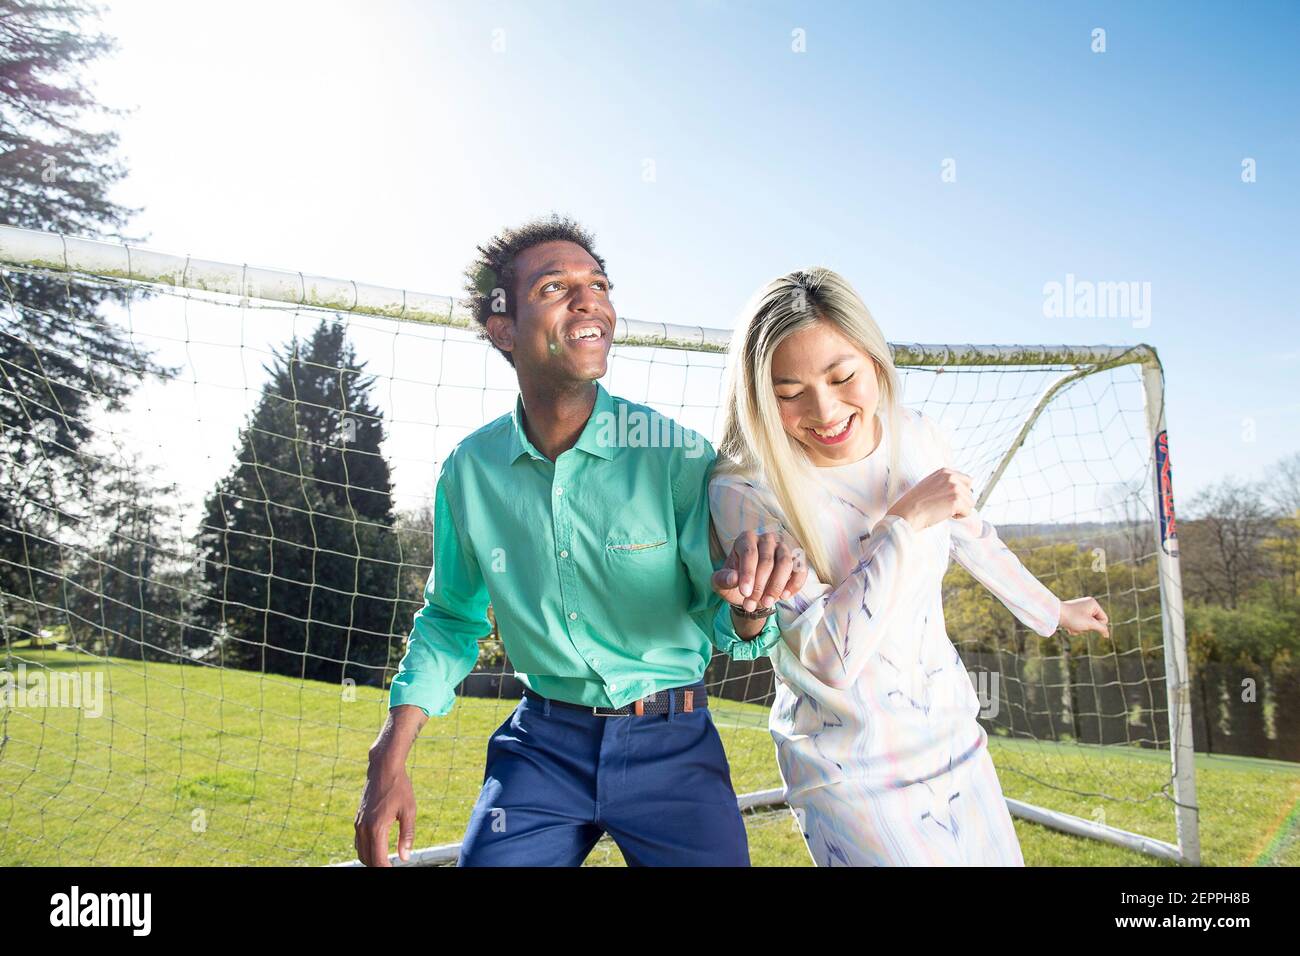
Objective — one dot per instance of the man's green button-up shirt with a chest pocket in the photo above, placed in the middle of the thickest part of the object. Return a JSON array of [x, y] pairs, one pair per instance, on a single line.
[[597, 565]]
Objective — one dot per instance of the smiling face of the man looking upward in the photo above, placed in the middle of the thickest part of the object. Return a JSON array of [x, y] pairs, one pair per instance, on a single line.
[[564, 315]]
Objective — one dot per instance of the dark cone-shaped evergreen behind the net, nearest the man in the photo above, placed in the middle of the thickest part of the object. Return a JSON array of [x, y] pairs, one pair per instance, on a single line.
[[301, 556]]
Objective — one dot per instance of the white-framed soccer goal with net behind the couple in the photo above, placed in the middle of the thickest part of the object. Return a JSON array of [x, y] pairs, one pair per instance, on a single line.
[[216, 527]]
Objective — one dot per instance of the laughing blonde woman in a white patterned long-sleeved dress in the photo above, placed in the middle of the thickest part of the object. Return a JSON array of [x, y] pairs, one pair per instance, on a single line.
[[882, 756]]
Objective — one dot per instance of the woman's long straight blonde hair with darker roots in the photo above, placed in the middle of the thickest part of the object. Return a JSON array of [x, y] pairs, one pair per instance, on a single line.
[[755, 444]]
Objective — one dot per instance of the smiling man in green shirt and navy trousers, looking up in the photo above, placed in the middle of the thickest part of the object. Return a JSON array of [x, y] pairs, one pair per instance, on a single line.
[[590, 538]]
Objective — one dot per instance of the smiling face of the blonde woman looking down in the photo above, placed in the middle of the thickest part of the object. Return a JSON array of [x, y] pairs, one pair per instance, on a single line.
[[827, 393]]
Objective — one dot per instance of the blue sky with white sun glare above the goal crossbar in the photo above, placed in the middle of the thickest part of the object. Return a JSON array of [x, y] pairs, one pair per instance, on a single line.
[[382, 141]]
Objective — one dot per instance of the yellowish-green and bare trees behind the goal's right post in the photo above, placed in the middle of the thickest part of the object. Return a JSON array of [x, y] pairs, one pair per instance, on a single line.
[[1240, 547]]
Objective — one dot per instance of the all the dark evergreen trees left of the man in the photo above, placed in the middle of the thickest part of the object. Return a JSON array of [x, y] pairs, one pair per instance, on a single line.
[[301, 563]]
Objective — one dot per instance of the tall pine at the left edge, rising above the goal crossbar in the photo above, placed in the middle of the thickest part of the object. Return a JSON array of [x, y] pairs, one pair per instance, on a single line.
[[60, 361]]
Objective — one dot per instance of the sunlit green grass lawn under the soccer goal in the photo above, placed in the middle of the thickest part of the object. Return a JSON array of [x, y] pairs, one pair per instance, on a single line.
[[203, 767]]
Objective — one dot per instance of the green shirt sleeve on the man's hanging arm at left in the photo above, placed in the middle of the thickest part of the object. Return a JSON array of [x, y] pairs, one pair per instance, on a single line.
[[443, 647]]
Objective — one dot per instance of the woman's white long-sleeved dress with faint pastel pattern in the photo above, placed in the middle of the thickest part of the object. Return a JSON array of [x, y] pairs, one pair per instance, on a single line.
[[876, 717]]
